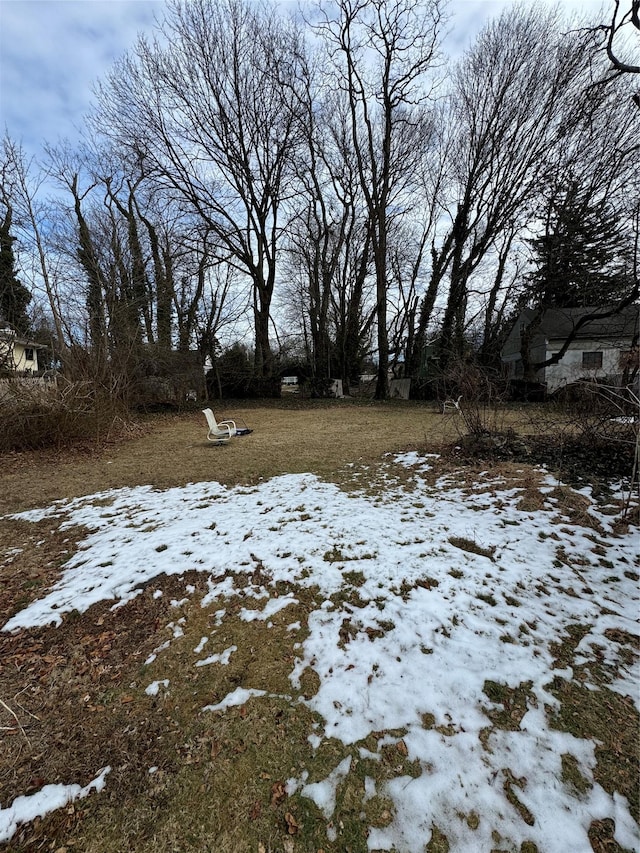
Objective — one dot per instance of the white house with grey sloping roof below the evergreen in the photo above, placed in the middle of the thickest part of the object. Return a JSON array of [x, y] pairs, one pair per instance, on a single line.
[[602, 349]]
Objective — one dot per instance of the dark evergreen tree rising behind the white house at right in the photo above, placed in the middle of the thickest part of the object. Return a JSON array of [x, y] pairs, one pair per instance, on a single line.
[[580, 258]]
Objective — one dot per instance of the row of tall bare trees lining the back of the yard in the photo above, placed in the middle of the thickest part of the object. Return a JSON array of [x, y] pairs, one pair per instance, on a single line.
[[335, 185]]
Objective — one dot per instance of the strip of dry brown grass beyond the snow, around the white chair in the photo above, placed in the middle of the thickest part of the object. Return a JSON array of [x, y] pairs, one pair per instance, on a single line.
[[171, 450]]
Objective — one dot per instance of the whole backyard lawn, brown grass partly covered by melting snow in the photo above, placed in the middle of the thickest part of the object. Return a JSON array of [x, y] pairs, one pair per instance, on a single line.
[[291, 664]]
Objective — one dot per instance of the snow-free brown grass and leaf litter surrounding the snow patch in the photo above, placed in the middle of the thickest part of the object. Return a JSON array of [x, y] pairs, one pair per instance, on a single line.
[[77, 691]]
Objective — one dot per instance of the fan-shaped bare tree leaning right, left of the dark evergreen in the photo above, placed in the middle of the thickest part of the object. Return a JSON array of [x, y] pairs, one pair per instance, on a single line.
[[507, 117]]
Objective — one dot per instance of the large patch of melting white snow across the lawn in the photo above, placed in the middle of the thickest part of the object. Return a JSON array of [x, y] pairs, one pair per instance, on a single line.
[[434, 619]]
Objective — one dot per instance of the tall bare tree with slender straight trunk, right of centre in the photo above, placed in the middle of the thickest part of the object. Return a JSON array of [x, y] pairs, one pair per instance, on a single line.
[[382, 51]]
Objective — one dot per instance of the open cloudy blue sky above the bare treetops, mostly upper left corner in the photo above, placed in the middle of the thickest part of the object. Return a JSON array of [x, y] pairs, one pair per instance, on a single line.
[[53, 51]]
